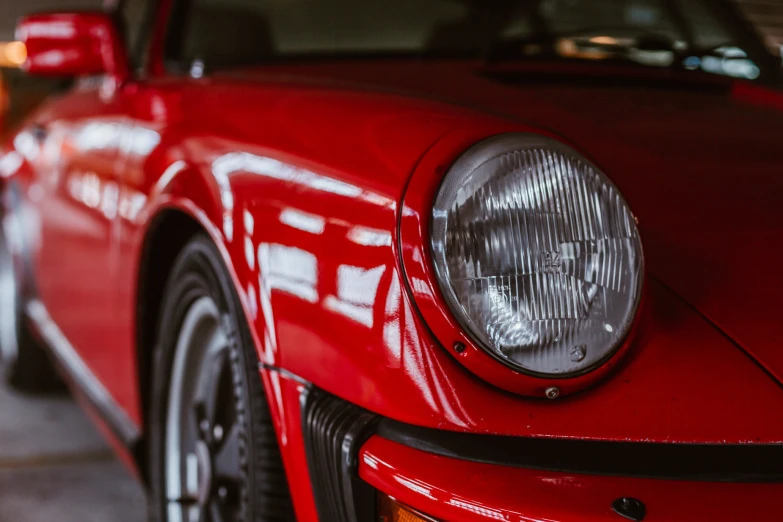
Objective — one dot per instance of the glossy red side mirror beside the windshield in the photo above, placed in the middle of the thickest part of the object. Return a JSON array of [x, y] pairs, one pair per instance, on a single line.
[[73, 44]]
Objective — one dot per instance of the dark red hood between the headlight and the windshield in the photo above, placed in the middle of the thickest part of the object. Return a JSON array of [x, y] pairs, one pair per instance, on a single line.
[[699, 163]]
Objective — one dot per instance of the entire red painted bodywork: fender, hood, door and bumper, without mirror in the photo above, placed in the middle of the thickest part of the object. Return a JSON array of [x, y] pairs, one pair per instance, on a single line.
[[299, 174]]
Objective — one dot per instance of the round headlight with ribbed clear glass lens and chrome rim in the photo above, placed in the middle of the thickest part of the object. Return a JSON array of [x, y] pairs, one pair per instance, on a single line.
[[537, 255]]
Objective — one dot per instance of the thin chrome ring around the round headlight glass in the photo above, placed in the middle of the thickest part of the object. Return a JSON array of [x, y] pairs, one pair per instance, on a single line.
[[465, 166]]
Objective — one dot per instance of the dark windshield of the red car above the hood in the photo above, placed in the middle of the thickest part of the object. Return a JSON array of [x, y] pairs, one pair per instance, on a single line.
[[700, 35]]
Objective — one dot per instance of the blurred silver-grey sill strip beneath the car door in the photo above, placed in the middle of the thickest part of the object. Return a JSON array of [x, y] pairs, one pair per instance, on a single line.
[[81, 375]]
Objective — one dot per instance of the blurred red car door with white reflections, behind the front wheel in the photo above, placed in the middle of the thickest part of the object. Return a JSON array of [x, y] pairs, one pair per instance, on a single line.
[[77, 195]]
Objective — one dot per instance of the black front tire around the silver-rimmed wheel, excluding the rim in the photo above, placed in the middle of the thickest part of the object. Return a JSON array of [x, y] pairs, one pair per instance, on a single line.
[[198, 274]]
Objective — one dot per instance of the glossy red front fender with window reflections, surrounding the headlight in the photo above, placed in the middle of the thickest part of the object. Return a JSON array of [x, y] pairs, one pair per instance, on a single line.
[[311, 238]]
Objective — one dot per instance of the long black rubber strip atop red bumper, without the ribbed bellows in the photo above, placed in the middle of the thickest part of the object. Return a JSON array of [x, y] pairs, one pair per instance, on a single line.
[[694, 462]]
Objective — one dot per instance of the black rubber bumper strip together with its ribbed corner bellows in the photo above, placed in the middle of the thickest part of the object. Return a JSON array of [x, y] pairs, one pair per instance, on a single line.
[[335, 430]]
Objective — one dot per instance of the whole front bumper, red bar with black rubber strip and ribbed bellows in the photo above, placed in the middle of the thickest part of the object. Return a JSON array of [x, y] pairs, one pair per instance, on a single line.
[[355, 458]]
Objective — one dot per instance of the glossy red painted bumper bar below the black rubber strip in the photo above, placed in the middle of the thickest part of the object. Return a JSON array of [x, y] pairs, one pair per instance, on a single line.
[[461, 491]]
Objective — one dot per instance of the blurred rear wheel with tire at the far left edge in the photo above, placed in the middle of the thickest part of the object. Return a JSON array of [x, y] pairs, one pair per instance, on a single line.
[[24, 363]]
